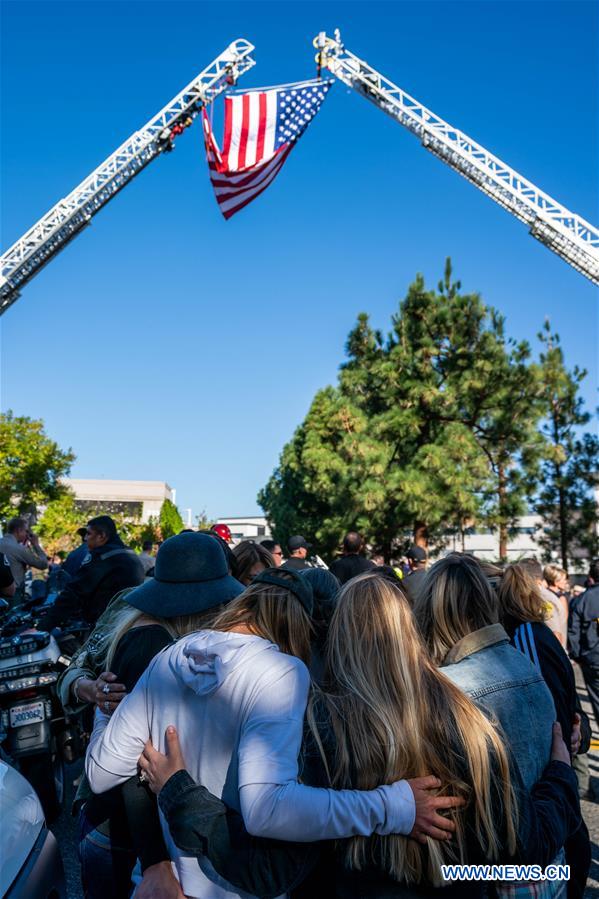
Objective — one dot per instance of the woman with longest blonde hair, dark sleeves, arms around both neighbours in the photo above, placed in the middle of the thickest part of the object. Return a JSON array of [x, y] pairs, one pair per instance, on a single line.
[[388, 712]]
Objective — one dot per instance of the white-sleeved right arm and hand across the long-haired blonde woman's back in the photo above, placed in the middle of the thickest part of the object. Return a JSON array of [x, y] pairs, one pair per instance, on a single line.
[[273, 803]]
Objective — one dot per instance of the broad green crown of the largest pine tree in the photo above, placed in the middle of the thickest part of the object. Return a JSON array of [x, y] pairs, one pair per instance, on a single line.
[[429, 428]]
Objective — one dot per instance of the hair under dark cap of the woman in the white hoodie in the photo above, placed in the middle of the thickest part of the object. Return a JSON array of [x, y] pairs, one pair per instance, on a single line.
[[272, 612]]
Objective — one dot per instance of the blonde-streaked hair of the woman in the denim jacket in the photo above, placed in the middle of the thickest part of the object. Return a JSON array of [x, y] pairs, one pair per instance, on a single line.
[[455, 599]]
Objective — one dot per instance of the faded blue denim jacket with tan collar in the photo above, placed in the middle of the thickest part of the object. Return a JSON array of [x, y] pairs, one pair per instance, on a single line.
[[505, 685]]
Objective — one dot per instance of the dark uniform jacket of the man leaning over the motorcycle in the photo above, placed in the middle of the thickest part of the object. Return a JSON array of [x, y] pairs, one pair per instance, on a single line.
[[108, 570]]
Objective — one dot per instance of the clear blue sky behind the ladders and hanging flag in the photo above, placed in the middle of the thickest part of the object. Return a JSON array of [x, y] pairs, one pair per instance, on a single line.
[[166, 343]]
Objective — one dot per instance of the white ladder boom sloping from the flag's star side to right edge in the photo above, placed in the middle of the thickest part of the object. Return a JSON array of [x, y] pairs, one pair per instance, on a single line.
[[564, 232]]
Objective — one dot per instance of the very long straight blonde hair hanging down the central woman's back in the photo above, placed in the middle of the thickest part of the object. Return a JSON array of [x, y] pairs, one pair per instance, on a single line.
[[395, 716]]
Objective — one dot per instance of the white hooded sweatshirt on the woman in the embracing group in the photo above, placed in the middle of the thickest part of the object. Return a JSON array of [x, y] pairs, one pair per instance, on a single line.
[[238, 705]]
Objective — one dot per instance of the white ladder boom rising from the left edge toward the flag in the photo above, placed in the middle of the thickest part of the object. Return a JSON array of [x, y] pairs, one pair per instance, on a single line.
[[65, 220]]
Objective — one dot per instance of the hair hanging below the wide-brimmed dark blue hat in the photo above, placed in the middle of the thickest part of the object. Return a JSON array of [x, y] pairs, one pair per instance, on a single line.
[[126, 617]]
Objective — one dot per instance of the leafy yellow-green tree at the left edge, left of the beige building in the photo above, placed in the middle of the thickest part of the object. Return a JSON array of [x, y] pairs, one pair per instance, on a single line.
[[31, 465]]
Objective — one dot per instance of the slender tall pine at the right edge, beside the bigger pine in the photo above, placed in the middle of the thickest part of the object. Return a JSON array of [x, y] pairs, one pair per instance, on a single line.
[[570, 471]]
